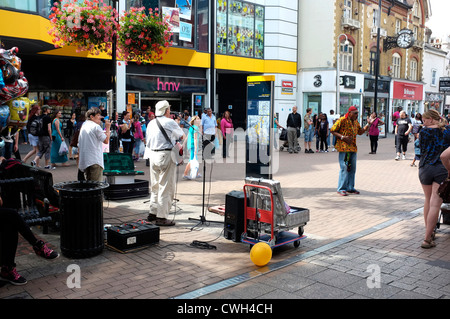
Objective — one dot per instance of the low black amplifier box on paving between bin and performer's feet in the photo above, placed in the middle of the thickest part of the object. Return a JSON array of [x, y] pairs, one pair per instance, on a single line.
[[132, 235]]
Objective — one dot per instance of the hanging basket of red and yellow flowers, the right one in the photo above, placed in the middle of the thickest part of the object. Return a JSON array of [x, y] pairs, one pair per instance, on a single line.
[[142, 38]]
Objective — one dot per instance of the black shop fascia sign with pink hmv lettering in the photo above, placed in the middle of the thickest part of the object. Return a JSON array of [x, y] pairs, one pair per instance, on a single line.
[[164, 84]]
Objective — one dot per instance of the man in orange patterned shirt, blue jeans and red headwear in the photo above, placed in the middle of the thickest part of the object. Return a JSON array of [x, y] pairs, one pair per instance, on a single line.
[[345, 129]]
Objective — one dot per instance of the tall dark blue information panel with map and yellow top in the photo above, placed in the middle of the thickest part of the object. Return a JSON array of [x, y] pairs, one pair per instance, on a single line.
[[259, 126]]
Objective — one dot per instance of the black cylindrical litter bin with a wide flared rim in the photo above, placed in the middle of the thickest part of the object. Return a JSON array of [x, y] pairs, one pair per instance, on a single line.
[[81, 206]]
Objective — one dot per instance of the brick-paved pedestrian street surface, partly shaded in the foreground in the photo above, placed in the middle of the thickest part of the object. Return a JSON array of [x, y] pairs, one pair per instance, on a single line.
[[363, 246]]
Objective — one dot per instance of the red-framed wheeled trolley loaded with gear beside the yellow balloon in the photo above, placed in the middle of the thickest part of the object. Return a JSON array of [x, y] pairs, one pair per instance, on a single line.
[[267, 218]]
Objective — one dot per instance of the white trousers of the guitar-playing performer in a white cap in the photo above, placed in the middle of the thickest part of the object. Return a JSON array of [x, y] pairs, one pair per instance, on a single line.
[[162, 179]]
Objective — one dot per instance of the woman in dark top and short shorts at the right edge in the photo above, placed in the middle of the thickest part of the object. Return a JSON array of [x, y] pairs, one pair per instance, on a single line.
[[434, 139]]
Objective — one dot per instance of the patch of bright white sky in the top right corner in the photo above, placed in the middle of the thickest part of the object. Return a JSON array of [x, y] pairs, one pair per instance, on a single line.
[[439, 21]]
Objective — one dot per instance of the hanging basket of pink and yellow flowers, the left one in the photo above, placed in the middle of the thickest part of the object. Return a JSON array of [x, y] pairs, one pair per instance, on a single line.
[[90, 25]]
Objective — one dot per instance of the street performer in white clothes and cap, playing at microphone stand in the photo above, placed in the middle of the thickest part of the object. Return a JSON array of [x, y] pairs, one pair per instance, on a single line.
[[162, 164]]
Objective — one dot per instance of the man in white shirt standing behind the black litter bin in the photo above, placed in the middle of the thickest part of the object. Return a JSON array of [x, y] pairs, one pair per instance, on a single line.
[[90, 145]]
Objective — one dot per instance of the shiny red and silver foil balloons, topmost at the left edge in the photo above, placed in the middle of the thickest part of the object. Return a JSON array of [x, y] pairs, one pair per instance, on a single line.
[[15, 83]]
